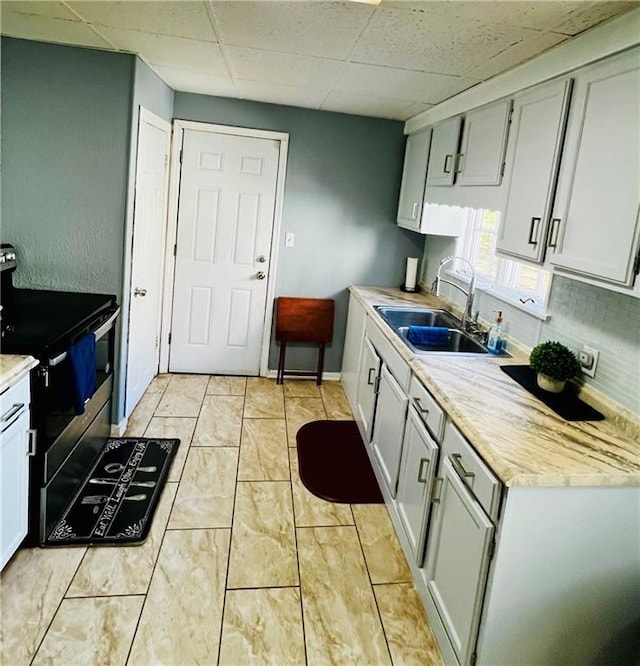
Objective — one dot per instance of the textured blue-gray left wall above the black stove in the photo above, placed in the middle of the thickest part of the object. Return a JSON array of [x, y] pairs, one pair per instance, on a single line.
[[66, 116]]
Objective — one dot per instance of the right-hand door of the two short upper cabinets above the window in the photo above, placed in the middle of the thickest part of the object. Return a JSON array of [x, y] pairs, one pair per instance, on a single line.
[[481, 159]]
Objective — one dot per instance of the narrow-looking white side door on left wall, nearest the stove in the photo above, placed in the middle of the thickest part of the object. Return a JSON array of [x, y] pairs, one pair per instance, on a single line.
[[149, 224]]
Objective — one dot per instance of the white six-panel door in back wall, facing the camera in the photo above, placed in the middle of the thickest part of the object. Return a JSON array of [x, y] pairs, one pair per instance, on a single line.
[[225, 224]]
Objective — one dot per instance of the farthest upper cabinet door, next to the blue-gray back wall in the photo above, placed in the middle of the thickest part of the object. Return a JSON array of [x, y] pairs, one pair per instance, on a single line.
[[414, 172]]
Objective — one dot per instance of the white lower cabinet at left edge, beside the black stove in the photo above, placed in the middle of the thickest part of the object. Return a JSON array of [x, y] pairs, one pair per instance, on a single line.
[[14, 468]]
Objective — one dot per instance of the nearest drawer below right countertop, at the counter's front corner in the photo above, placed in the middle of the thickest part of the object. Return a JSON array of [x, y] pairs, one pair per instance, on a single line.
[[468, 465]]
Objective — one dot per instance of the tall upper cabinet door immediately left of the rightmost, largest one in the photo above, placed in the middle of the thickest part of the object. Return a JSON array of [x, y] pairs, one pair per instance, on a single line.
[[535, 144]]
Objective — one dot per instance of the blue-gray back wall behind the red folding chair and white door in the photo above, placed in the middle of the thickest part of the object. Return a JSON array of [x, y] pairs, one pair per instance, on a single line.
[[341, 195]]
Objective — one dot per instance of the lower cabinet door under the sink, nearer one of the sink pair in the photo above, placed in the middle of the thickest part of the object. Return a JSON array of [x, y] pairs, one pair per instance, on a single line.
[[390, 417]]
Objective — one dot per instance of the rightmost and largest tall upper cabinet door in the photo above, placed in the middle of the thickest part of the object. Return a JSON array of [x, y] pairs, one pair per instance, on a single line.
[[594, 228]]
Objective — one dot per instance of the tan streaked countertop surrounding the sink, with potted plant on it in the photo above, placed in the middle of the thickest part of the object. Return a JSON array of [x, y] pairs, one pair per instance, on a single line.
[[521, 439]]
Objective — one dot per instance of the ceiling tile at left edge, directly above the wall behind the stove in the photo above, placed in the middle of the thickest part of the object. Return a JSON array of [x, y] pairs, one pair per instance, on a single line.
[[44, 29]]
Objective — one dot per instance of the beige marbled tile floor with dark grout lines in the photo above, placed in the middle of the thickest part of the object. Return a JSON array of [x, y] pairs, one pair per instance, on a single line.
[[242, 566]]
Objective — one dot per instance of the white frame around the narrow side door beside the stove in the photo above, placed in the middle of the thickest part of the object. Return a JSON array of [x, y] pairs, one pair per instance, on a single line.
[[145, 115]]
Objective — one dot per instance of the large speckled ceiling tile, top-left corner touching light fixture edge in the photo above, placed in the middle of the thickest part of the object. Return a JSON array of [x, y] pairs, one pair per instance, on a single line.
[[430, 42]]
